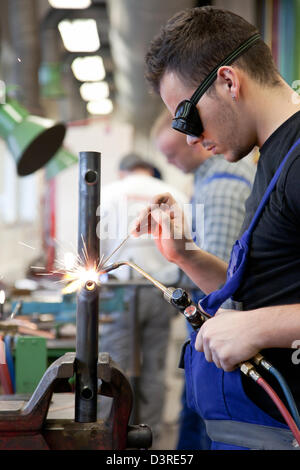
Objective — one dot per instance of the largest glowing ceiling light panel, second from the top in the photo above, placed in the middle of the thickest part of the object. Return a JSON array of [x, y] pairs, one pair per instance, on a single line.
[[79, 35]]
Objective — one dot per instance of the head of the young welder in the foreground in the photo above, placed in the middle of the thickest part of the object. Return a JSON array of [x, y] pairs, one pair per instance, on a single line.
[[192, 44]]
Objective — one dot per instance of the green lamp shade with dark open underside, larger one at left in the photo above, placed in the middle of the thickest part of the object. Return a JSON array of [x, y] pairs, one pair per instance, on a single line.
[[32, 140]]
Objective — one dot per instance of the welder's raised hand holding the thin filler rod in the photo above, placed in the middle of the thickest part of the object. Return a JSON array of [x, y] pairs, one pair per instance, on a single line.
[[165, 220]]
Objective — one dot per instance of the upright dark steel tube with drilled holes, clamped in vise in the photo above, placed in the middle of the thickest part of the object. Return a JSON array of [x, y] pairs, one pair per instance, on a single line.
[[87, 318]]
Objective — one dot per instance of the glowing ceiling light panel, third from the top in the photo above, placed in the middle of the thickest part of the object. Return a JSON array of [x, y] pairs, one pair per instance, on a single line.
[[88, 69]]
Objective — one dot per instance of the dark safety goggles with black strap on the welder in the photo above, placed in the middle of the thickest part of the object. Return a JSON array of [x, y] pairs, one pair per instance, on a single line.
[[187, 119]]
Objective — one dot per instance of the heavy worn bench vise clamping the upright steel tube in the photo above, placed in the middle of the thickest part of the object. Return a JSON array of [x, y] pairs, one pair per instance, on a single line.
[[24, 425]]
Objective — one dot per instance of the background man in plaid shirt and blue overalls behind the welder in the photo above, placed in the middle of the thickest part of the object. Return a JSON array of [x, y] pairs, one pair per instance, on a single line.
[[220, 191]]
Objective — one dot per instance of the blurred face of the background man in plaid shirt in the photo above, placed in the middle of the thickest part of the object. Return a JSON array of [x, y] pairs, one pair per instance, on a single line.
[[173, 145]]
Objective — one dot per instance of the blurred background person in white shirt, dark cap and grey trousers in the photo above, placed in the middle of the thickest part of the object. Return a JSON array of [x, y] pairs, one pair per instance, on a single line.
[[121, 202]]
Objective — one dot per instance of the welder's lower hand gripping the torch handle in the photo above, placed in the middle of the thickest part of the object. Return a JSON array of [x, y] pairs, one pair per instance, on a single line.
[[229, 338]]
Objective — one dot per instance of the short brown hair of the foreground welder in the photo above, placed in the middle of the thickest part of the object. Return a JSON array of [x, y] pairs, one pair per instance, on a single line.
[[196, 40]]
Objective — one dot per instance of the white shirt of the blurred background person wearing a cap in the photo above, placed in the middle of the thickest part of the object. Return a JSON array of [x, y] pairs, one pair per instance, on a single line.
[[121, 203]]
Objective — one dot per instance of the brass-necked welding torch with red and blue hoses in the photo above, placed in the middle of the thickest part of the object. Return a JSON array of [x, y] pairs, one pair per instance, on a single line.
[[181, 300]]
